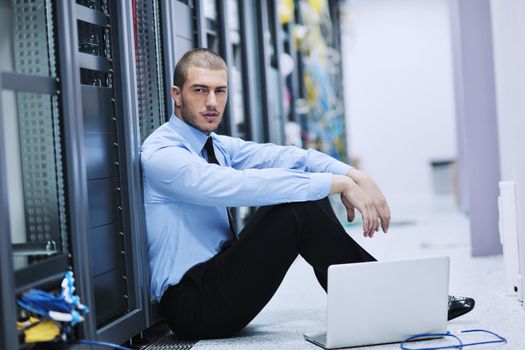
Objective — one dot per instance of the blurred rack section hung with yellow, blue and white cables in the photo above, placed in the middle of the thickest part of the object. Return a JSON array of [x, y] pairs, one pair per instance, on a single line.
[[315, 84]]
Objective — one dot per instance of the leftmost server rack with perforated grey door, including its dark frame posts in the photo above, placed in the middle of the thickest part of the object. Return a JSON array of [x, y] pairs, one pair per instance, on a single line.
[[32, 190]]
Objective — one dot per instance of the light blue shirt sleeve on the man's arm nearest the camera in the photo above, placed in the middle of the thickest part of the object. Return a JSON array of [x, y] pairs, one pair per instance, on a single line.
[[174, 173]]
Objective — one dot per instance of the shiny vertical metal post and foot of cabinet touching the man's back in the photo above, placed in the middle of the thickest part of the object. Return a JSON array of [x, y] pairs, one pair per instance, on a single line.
[[133, 322]]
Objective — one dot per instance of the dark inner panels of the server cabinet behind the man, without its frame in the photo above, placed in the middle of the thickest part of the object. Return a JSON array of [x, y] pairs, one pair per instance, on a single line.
[[100, 99]]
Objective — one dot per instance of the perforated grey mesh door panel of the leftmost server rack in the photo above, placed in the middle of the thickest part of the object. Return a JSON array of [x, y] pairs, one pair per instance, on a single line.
[[40, 242]]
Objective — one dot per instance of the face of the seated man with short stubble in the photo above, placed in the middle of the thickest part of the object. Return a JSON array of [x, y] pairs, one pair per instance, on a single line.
[[202, 99]]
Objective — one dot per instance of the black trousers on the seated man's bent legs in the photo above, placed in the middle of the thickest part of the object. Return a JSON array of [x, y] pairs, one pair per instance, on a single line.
[[221, 296]]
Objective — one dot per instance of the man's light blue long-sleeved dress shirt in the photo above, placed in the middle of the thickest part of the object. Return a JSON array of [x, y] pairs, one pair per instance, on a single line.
[[185, 197]]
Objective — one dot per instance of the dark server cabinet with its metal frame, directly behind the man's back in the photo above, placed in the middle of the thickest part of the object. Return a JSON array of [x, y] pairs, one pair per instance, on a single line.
[[104, 46]]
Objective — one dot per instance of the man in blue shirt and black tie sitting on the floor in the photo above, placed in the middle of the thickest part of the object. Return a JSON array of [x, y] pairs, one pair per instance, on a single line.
[[210, 283]]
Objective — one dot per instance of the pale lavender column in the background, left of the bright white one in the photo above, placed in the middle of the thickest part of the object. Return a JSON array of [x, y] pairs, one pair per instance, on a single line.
[[478, 162]]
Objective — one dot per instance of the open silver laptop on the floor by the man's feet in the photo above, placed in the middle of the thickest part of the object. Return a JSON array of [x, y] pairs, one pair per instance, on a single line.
[[384, 302]]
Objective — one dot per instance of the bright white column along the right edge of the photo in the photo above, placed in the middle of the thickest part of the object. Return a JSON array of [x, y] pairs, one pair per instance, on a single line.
[[509, 56]]
